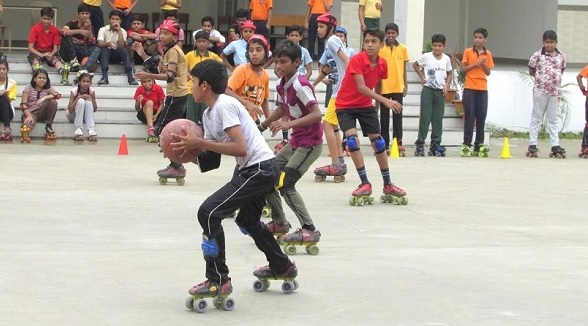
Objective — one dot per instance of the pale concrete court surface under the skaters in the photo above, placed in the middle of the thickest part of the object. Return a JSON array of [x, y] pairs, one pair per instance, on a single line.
[[88, 237]]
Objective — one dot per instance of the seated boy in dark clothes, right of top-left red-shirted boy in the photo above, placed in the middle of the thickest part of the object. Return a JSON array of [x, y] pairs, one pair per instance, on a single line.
[[78, 42]]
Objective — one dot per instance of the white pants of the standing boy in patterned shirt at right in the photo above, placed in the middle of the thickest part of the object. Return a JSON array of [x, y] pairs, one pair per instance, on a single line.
[[542, 103]]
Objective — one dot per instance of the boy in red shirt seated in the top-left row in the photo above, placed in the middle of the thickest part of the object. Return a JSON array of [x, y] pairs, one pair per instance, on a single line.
[[44, 42]]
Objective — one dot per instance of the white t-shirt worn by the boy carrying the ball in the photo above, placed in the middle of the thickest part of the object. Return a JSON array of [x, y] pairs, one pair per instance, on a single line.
[[228, 112]]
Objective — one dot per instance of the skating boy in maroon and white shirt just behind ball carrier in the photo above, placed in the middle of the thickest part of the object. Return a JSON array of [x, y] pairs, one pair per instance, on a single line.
[[298, 102]]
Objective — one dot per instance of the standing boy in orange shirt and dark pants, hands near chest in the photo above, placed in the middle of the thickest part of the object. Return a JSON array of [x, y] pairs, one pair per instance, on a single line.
[[476, 64]]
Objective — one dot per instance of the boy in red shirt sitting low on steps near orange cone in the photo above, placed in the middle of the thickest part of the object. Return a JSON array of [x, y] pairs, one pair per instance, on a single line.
[[148, 98]]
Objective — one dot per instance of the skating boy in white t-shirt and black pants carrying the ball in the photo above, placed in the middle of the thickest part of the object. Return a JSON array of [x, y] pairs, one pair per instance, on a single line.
[[229, 130]]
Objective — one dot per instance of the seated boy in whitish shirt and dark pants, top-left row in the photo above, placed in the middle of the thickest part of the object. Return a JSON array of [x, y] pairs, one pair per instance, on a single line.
[[112, 39]]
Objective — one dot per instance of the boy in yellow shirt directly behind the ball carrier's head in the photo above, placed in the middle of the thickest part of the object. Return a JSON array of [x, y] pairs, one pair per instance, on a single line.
[[195, 110]]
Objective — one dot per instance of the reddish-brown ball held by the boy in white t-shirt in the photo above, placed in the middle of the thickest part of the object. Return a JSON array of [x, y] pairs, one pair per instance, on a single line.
[[175, 127]]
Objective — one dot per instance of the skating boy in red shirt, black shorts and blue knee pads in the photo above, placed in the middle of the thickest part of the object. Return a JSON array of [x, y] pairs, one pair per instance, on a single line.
[[354, 103]]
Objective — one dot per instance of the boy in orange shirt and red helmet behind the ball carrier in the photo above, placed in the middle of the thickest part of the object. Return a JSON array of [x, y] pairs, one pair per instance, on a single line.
[[249, 83]]
